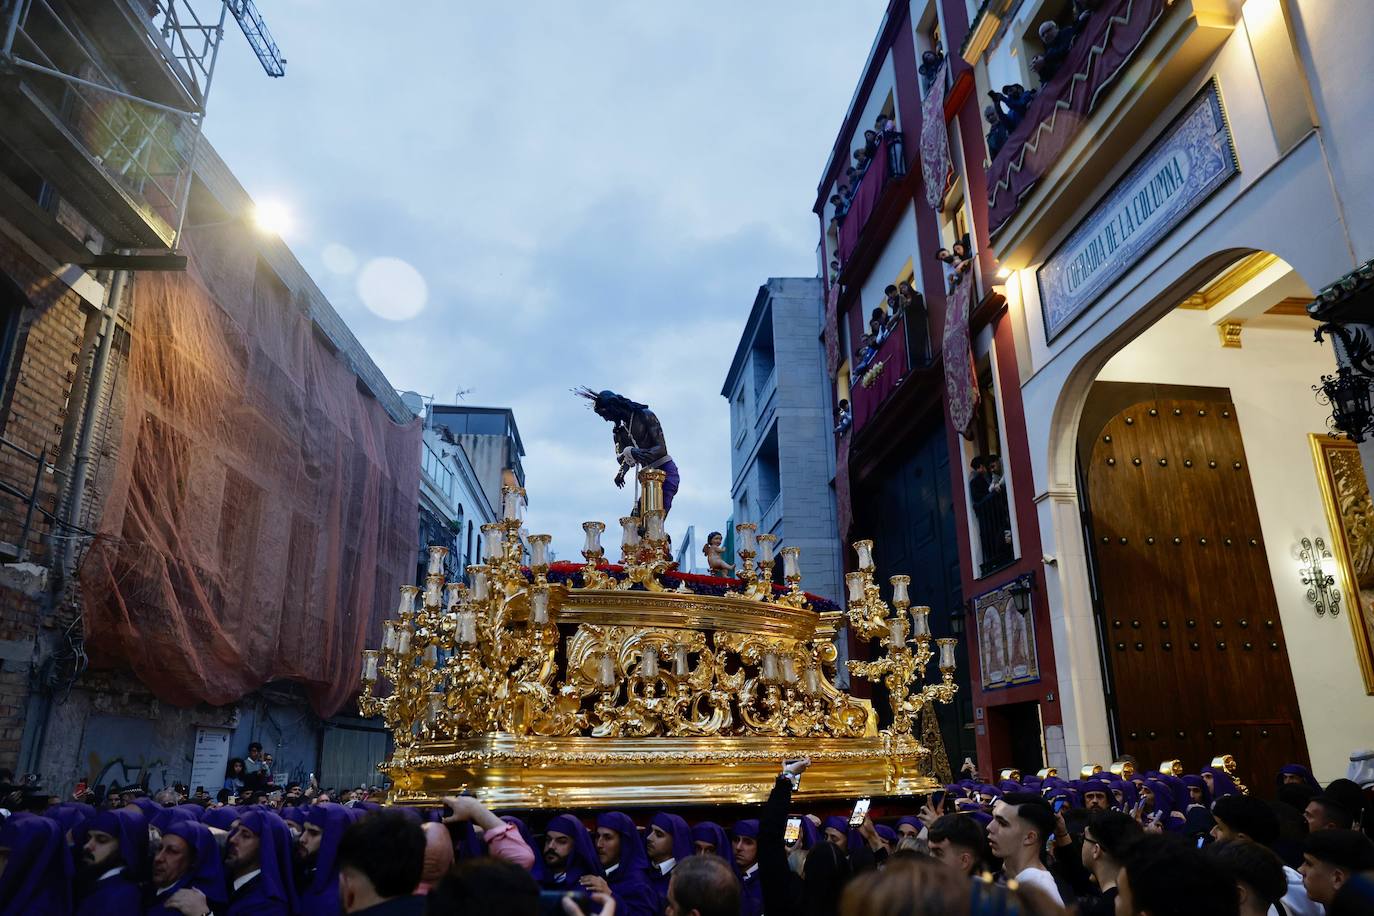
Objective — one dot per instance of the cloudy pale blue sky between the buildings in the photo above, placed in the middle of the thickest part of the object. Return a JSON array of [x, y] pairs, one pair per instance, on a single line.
[[590, 194]]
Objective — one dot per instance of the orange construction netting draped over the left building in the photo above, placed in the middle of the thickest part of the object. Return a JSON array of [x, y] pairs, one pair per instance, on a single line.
[[263, 510]]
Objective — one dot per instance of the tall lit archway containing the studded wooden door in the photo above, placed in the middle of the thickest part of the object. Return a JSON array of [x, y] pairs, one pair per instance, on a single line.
[[1188, 437]]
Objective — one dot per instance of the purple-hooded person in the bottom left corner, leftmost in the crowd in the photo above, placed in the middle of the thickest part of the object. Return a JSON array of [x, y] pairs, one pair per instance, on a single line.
[[38, 875]]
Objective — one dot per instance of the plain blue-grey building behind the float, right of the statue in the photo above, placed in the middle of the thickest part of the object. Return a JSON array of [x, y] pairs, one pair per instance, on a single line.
[[781, 429]]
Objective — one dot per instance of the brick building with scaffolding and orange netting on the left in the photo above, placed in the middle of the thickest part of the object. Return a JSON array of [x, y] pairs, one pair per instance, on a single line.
[[208, 485]]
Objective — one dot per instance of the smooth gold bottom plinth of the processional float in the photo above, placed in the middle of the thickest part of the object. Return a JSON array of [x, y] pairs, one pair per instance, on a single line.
[[510, 771]]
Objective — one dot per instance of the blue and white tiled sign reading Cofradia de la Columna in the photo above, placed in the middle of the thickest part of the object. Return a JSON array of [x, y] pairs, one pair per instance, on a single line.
[[1193, 159]]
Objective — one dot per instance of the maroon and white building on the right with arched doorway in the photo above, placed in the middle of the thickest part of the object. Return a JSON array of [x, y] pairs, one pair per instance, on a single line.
[[1133, 339]]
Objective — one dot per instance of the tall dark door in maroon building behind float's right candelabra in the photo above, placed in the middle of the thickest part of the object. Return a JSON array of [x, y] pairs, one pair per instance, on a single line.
[[906, 507]]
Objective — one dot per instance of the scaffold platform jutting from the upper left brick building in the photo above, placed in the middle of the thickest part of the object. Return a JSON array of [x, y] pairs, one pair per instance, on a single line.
[[104, 102]]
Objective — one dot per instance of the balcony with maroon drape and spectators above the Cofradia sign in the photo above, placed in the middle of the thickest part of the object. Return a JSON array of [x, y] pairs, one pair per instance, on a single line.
[[1131, 62]]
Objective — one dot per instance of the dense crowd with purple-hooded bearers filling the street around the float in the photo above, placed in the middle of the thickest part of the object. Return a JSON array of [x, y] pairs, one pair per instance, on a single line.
[[1131, 844]]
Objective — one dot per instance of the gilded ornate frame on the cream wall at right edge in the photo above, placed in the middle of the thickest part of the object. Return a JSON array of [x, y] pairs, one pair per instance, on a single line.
[[1350, 514]]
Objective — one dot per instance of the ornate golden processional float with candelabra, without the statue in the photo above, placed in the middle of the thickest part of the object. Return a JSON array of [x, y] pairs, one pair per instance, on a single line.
[[581, 686]]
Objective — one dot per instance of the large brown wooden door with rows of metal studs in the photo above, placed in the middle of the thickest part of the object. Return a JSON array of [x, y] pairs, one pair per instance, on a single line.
[[1191, 624]]
